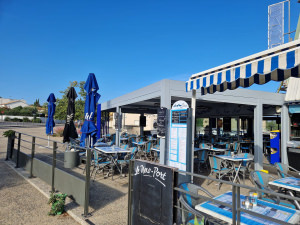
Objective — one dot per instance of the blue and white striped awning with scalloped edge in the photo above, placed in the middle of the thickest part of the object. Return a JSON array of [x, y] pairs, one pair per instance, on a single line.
[[275, 64]]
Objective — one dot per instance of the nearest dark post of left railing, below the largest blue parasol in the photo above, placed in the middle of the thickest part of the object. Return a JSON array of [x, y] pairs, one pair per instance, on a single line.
[[87, 182]]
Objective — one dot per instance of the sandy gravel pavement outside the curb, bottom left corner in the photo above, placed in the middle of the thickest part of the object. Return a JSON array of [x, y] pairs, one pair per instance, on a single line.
[[23, 204]]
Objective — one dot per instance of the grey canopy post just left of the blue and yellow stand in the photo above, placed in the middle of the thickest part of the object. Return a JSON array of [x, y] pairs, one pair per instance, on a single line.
[[258, 137]]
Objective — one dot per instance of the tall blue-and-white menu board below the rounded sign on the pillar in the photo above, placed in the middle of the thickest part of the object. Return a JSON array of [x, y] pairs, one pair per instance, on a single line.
[[178, 132]]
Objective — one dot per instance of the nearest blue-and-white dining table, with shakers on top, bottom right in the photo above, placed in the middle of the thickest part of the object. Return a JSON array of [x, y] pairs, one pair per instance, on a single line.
[[267, 209]]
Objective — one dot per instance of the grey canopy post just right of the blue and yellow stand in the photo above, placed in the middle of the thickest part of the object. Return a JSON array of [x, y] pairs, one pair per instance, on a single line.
[[285, 133]]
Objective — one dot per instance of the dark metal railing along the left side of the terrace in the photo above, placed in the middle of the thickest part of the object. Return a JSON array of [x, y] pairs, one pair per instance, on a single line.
[[26, 144]]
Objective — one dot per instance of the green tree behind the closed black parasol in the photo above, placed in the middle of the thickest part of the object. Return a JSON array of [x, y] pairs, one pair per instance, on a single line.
[[62, 103]]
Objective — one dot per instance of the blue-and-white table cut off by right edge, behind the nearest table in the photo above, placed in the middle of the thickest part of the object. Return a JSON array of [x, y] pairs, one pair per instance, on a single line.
[[290, 184]]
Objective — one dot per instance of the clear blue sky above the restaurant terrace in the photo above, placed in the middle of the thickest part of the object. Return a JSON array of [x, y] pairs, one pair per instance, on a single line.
[[127, 44]]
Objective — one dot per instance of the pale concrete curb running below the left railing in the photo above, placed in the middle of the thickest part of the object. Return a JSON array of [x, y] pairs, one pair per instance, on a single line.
[[21, 172]]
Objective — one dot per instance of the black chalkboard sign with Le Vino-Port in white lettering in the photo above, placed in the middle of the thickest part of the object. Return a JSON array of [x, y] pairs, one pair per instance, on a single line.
[[152, 197]]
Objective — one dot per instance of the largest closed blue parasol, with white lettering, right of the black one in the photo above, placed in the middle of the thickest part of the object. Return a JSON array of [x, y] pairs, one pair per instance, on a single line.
[[89, 128]]
